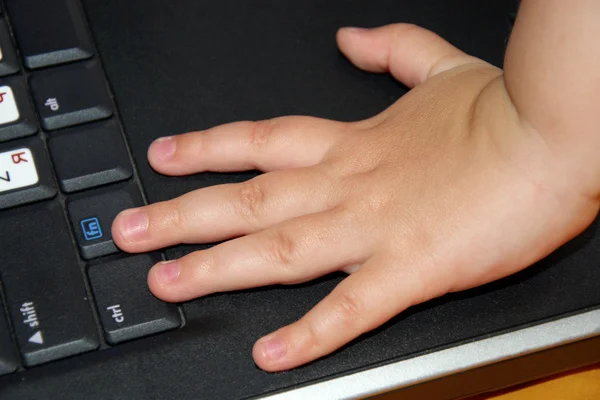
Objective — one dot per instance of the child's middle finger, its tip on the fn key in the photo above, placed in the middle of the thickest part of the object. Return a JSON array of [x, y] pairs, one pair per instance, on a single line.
[[221, 212]]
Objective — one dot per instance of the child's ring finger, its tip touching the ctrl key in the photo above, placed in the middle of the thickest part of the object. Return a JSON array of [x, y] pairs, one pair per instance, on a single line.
[[294, 251]]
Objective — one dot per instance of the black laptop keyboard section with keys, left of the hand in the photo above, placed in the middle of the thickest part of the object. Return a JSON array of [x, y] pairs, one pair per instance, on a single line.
[[65, 173]]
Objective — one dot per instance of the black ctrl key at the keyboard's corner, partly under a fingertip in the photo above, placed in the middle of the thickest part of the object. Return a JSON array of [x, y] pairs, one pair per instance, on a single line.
[[126, 307]]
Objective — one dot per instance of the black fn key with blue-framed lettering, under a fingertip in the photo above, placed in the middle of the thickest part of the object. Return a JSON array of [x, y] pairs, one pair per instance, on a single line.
[[92, 216]]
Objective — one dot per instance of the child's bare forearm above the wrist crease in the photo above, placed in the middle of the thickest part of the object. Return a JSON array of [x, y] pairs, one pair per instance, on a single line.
[[552, 72]]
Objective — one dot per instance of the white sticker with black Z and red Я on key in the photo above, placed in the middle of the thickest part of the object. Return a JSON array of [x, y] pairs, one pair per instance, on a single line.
[[17, 170]]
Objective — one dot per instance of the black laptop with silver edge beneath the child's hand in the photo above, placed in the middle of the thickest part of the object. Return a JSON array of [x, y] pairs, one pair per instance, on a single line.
[[86, 85]]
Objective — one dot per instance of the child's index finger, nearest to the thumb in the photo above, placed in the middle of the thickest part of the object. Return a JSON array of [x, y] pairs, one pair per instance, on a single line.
[[280, 143]]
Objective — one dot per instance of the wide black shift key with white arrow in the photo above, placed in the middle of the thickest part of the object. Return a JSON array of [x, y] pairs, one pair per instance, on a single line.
[[44, 286]]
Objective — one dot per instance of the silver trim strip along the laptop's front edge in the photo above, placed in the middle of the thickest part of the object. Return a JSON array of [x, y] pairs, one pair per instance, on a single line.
[[452, 360]]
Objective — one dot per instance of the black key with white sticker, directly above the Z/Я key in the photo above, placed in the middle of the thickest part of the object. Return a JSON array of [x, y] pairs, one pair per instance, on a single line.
[[16, 114]]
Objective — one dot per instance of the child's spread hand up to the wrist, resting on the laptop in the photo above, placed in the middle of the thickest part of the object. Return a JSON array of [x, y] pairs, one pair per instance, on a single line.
[[448, 189]]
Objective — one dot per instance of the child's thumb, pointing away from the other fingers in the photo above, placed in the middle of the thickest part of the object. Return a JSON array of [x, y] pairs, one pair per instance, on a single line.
[[410, 53]]
